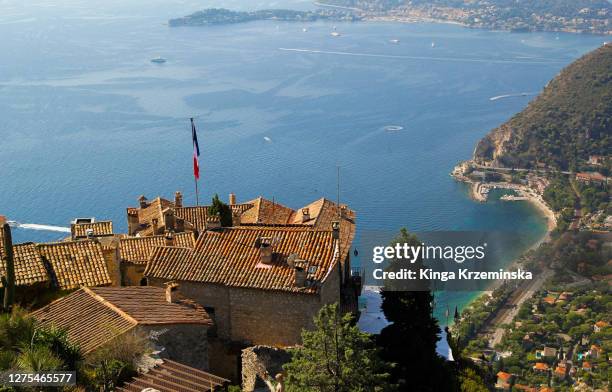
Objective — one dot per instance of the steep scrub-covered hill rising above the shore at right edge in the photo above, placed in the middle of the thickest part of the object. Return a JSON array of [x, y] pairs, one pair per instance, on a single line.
[[570, 120]]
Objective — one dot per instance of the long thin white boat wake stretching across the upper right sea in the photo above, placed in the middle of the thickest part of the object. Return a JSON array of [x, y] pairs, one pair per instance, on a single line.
[[426, 58]]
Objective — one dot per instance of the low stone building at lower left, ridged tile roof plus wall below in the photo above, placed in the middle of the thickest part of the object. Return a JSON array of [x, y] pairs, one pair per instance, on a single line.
[[95, 316]]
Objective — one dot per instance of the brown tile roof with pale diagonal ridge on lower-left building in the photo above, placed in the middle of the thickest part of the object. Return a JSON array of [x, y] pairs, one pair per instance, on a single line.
[[95, 316]]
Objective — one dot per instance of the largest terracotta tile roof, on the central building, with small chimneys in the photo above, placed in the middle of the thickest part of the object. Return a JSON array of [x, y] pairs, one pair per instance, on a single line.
[[230, 257]]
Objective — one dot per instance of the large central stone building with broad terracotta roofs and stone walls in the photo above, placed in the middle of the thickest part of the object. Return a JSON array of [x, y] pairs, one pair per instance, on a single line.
[[264, 283]]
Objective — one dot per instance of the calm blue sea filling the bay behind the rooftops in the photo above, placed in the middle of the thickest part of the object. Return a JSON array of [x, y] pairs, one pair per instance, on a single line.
[[88, 123]]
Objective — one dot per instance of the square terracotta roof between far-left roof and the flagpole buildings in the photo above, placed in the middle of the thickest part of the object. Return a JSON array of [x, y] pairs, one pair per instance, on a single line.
[[76, 263]]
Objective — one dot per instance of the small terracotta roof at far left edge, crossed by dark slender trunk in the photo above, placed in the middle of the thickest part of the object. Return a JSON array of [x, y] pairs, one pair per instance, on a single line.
[[29, 266]]
